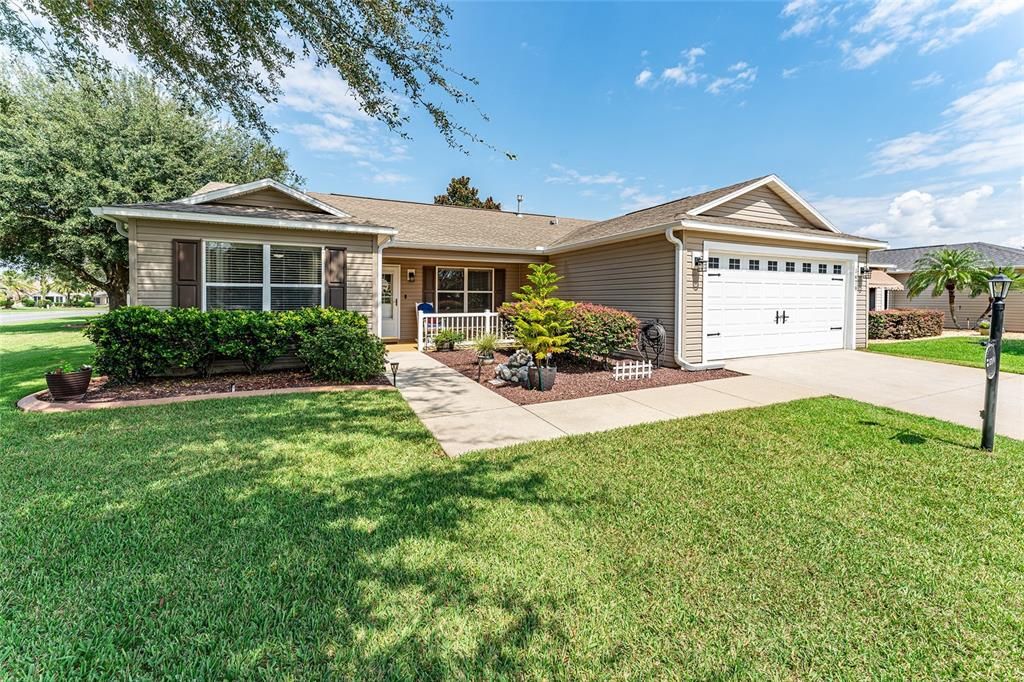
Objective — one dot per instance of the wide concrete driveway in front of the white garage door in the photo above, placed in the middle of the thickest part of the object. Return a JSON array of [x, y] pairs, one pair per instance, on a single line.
[[933, 390]]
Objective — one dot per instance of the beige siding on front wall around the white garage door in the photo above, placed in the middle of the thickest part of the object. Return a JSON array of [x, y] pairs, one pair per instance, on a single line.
[[694, 245]]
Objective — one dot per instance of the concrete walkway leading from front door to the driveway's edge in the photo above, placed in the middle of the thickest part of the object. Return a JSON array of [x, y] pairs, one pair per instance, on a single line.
[[464, 416]]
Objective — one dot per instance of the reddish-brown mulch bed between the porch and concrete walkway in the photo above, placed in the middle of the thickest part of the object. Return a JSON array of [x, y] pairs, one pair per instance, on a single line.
[[574, 380]]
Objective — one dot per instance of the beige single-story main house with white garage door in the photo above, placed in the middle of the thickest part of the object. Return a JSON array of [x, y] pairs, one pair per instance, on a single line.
[[747, 270]]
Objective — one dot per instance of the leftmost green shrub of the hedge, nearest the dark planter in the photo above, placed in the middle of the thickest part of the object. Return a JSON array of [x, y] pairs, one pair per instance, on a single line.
[[132, 344]]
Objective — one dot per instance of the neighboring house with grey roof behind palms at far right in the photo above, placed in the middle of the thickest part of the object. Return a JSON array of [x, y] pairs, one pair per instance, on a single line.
[[900, 265]]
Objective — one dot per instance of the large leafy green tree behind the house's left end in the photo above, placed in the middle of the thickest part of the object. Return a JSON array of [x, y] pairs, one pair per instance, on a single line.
[[66, 147]]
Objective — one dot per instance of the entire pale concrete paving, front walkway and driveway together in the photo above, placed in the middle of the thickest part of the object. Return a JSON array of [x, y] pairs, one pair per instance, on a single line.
[[464, 416]]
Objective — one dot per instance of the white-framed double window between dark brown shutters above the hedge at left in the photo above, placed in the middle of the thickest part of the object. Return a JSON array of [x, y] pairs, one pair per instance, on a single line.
[[242, 276]]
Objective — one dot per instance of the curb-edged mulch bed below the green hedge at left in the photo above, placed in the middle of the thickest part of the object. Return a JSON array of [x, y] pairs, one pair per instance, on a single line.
[[102, 392]]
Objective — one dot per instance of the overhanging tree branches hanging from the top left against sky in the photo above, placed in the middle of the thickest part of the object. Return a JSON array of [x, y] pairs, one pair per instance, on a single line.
[[235, 55]]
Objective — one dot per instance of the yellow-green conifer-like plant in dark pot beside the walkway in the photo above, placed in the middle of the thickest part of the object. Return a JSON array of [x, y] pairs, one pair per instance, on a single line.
[[543, 324]]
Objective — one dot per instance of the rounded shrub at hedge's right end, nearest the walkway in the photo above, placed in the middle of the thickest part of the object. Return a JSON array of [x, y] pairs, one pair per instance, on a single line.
[[345, 354]]
